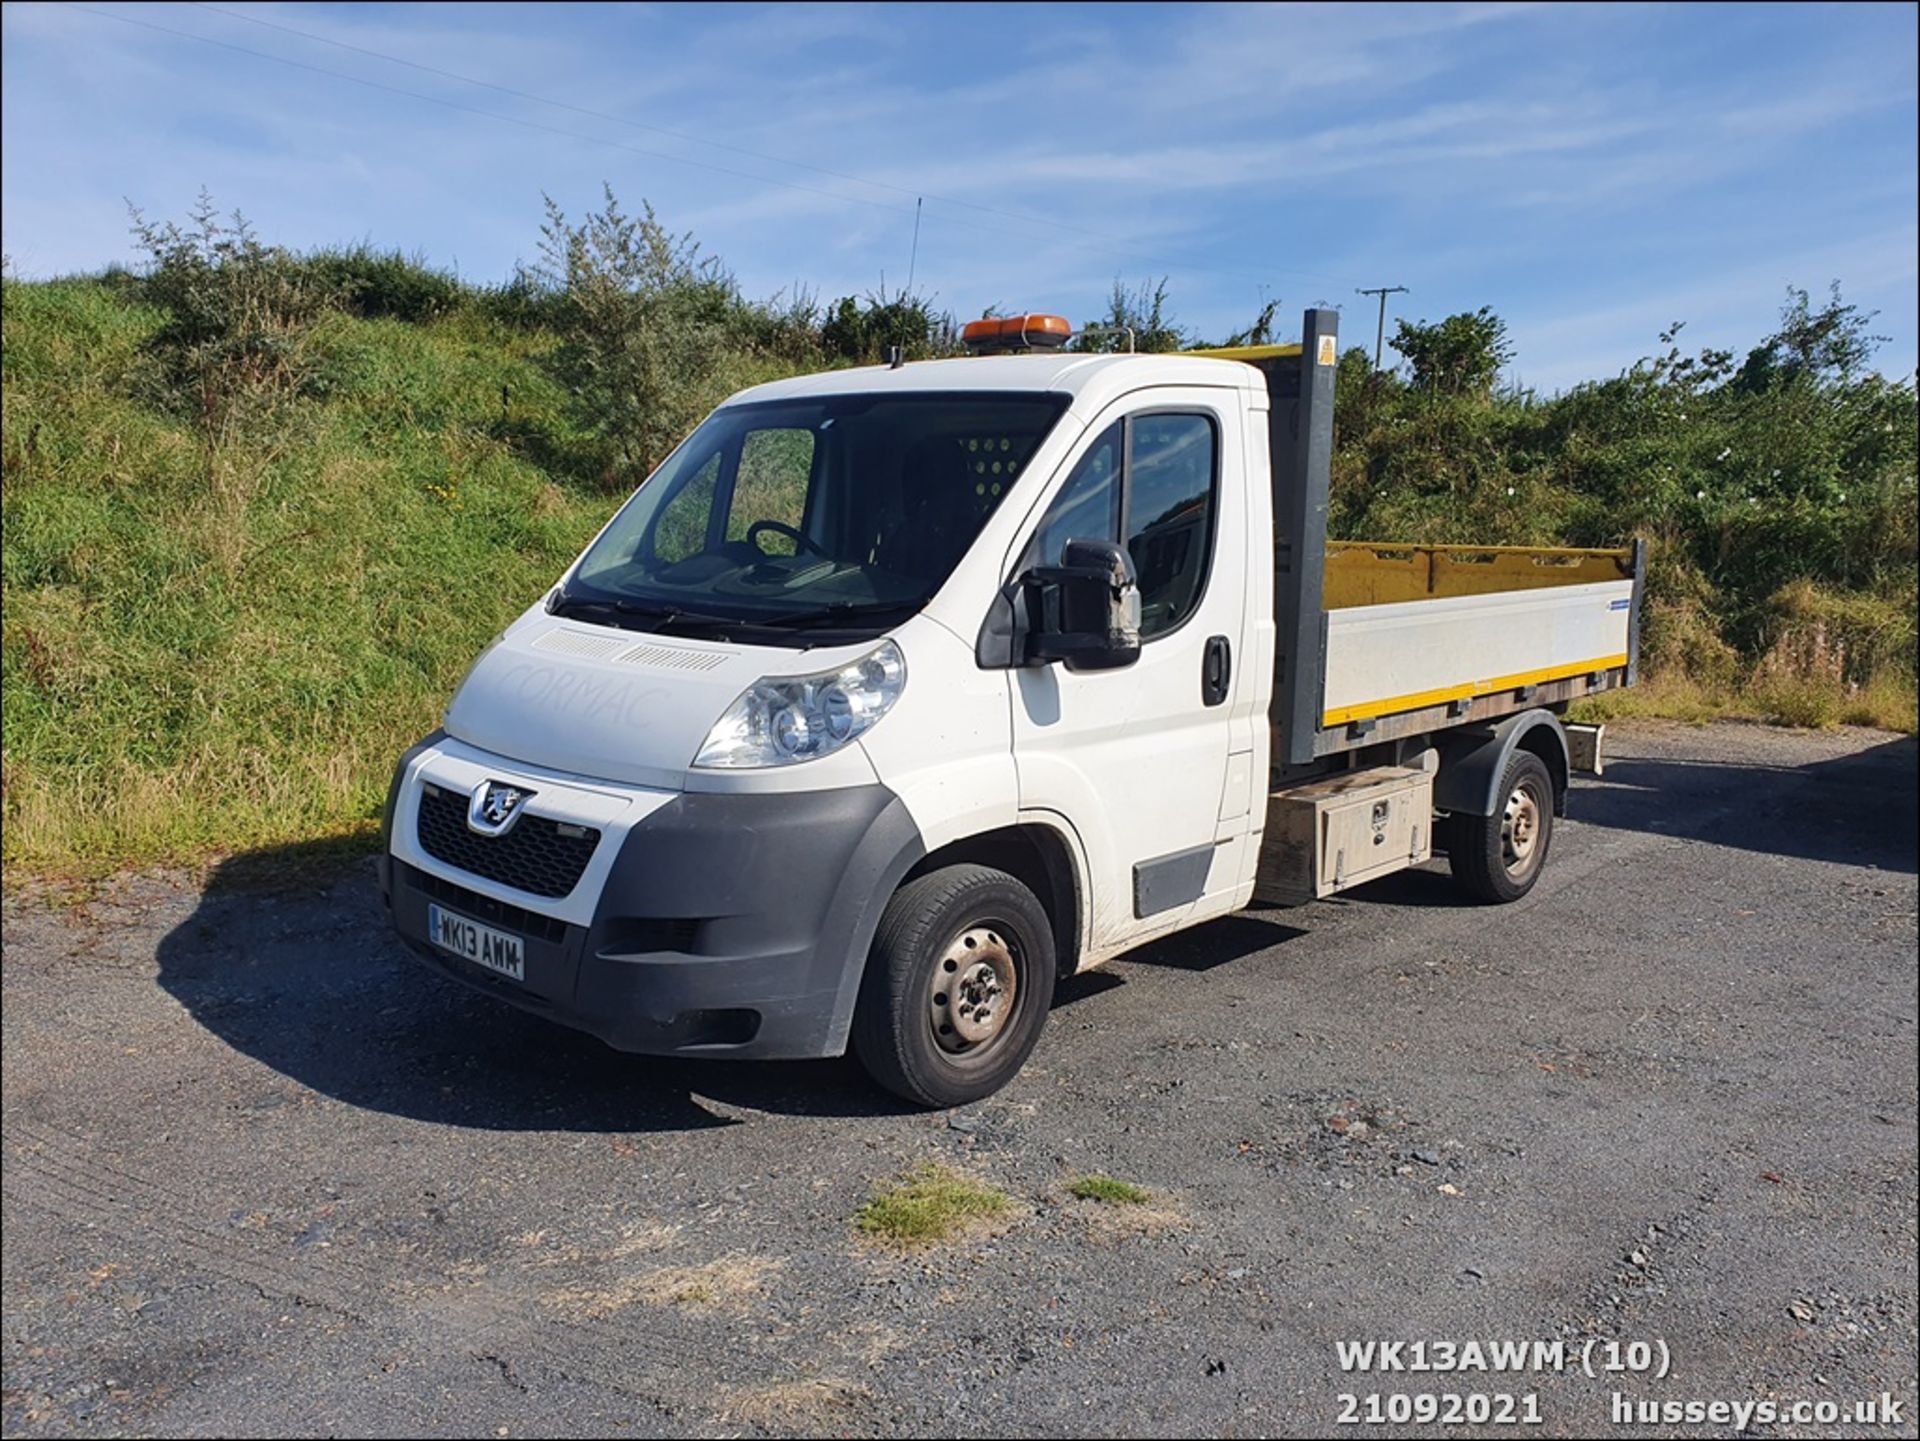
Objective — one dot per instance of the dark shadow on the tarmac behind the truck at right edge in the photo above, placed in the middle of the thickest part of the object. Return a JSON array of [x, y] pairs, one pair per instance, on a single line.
[[1852, 811]]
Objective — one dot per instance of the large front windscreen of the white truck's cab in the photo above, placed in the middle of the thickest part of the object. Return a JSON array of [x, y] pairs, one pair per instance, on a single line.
[[802, 517]]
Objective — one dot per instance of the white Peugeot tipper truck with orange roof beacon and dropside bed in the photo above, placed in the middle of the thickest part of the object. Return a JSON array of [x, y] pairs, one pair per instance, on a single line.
[[900, 694]]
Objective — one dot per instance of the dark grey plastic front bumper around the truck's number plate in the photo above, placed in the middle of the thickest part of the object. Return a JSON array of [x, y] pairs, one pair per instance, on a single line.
[[719, 926]]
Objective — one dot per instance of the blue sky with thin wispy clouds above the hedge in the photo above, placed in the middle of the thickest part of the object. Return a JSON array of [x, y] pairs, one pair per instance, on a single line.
[[1593, 174]]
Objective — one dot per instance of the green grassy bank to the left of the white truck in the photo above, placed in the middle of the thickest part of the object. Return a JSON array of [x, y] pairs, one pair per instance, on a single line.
[[206, 663]]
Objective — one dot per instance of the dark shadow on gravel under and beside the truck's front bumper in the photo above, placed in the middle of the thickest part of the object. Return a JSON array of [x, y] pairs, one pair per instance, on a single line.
[[289, 958]]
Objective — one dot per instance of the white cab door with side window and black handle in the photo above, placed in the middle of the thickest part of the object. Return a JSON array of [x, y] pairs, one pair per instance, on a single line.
[[1151, 765]]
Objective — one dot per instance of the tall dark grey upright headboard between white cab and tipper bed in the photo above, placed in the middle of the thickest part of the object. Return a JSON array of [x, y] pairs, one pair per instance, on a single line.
[[1301, 438]]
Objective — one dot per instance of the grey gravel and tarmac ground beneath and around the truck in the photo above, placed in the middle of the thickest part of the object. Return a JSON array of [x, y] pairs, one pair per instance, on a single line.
[[268, 1175]]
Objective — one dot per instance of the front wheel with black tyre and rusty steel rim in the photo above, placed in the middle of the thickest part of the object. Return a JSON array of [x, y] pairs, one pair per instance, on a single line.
[[957, 987]]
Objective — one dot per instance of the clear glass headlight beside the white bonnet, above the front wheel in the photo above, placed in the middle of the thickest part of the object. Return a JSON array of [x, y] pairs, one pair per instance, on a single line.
[[788, 719]]
